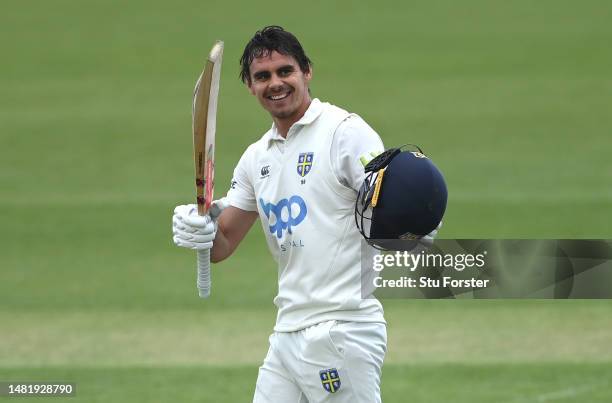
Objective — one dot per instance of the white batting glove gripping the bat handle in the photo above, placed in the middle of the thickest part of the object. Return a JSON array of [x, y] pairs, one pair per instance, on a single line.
[[193, 231]]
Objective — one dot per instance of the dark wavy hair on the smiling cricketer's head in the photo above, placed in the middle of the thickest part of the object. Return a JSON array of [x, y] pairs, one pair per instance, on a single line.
[[265, 41]]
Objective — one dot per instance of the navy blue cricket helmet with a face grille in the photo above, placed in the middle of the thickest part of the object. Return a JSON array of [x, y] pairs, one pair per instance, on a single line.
[[403, 197]]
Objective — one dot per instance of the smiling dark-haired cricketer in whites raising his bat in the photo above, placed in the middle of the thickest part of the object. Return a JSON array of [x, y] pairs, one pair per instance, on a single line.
[[301, 179]]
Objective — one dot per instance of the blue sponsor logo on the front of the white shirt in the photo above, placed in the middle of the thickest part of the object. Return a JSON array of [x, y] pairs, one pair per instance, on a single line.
[[287, 213]]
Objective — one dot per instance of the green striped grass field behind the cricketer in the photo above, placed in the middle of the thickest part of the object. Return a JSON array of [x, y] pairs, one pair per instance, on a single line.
[[510, 99]]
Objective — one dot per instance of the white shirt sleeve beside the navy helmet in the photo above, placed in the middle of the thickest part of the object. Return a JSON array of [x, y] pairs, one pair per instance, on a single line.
[[354, 142]]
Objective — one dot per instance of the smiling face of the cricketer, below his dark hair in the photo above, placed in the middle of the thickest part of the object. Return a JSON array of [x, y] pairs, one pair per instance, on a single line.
[[280, 86]]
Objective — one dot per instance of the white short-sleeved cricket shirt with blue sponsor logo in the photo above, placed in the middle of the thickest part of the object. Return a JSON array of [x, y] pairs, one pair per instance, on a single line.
[[304, 188]]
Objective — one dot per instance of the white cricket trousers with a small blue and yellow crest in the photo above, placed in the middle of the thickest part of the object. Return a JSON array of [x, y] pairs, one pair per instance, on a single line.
[[332, 361]]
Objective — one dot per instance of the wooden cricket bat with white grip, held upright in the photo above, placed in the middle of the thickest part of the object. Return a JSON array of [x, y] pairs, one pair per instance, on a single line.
[[204, 122]]
